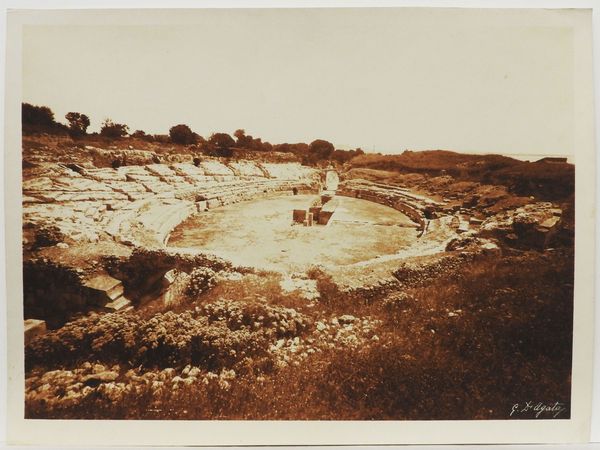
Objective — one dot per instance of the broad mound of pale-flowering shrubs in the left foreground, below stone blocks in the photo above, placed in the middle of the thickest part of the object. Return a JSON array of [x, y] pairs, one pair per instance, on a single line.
[[221, 334]]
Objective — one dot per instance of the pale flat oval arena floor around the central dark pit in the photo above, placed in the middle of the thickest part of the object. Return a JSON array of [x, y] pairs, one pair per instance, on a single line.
[[261, 234]]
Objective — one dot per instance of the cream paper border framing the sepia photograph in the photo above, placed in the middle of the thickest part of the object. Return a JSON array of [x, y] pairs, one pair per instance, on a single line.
[[129, 432]]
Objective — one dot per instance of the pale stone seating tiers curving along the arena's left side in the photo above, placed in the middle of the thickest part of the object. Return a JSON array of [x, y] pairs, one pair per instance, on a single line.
[[144, 201]]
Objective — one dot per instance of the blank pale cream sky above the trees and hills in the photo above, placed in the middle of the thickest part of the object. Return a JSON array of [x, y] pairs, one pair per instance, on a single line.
[[381, 79]]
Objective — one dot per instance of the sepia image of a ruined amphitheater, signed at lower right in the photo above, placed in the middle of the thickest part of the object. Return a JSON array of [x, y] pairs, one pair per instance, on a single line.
[[328, 214]]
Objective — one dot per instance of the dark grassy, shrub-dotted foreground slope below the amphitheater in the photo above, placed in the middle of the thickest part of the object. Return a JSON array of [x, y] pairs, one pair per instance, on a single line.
[[466, 345]]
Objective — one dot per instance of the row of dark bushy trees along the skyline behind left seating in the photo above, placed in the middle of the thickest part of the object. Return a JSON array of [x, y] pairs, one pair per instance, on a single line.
[[40, 119]]
